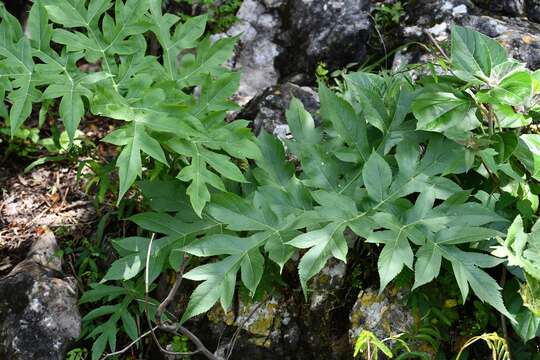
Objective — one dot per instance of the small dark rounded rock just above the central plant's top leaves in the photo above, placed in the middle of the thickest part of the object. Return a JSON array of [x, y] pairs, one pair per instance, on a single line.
[[268, 109]]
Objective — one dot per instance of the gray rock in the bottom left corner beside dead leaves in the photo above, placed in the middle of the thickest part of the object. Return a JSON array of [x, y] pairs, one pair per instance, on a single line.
[[38, 306]]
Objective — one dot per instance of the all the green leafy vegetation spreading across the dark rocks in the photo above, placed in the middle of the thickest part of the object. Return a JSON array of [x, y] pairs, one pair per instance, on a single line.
[[438, 171]]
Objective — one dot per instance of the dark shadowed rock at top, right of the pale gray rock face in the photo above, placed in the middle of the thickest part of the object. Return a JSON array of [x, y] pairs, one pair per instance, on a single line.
[[332, 31]]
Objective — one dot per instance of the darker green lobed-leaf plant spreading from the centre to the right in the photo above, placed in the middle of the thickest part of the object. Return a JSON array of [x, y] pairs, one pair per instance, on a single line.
[[393, 173]]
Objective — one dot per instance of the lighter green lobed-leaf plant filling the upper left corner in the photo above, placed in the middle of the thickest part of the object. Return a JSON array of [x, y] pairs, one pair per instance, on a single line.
[[165, 121]]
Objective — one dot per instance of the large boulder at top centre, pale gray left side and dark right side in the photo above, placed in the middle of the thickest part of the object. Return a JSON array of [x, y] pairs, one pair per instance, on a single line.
[[280, 38]]
